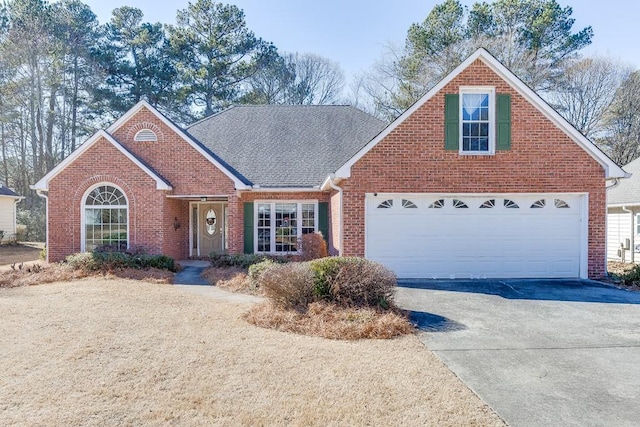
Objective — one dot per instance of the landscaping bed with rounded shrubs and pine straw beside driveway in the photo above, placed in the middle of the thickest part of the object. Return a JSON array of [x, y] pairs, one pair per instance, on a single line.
[[331, 297]]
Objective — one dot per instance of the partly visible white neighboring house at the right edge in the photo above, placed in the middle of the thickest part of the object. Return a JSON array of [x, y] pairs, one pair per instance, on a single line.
[[623, 217]]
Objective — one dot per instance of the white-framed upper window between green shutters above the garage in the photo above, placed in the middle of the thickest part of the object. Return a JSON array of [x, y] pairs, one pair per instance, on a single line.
[[477, 120]]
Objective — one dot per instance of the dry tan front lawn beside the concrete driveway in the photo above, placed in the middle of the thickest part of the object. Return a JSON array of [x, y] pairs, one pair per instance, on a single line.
[[116, 352]]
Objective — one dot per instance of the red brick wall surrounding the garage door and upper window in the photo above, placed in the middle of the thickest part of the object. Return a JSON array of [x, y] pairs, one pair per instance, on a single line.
[[412, 159]]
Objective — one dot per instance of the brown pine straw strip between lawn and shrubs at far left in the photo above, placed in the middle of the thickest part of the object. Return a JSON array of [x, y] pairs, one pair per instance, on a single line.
[[39, 274]]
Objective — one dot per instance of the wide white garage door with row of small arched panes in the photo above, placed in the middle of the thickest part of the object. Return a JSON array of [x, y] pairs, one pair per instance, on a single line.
[[478, 236]]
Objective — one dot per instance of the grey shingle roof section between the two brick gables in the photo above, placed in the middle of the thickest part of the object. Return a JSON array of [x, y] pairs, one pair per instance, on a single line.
[[286, 145]]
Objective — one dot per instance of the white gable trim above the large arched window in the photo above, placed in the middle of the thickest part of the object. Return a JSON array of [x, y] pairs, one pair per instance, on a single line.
[[98, 137]]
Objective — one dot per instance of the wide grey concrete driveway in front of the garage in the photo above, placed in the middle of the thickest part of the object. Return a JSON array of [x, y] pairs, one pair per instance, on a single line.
[[539, 352]]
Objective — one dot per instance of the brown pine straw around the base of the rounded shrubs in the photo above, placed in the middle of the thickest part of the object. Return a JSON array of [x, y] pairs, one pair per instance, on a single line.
[[333, 322]]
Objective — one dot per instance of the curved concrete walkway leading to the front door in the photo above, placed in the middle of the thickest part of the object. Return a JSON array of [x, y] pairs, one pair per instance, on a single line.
[[189, 279]]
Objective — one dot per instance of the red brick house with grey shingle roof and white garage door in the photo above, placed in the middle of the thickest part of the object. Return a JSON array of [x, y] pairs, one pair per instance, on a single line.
[[479, 178]]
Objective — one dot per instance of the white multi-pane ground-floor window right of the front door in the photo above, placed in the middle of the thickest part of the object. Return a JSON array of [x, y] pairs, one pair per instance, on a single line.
[[279, 224]]
